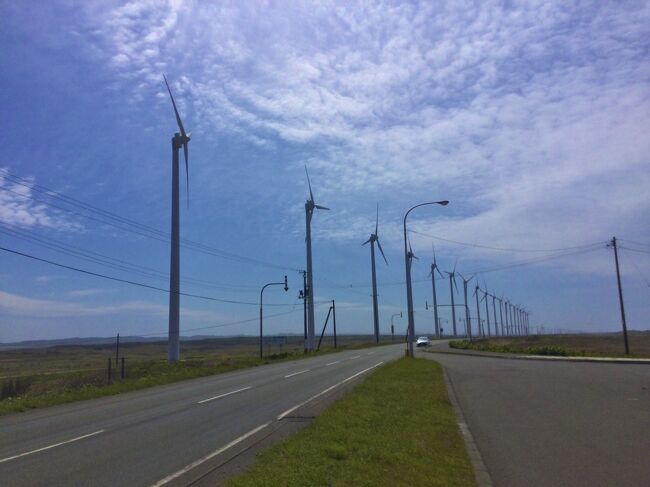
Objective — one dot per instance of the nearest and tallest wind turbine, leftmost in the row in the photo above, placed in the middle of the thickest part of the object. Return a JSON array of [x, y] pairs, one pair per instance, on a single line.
[[179, 140]]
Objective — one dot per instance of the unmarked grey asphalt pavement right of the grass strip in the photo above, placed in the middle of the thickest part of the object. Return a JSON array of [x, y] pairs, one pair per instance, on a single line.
[[540, 423]]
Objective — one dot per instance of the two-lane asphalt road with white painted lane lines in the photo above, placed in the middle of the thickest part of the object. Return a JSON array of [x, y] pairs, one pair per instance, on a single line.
[[147, 437]]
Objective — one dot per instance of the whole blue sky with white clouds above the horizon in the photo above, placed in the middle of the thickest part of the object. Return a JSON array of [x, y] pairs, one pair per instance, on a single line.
[[532, 118]]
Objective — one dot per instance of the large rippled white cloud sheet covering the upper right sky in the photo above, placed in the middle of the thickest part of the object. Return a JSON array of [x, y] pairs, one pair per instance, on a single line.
[[533, 115]]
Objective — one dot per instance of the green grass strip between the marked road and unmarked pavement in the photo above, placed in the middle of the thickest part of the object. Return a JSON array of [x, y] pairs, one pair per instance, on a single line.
[[397, 428]]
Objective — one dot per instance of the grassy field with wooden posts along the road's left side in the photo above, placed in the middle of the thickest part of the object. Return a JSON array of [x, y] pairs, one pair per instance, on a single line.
[[40, 377]]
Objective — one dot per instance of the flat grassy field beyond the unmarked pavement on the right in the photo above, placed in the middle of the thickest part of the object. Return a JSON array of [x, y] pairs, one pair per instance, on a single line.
[[579, 345]]
